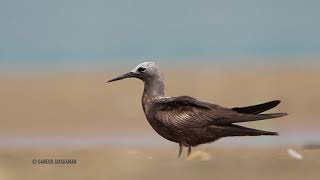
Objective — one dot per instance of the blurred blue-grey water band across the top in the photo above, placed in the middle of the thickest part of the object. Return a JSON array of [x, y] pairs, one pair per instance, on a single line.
[[46, 34]]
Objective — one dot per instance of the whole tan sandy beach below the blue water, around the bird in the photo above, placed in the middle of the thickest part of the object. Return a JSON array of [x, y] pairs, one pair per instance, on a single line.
[[75, 116]]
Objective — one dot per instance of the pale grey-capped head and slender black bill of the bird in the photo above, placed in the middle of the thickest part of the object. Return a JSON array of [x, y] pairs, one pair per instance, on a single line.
[[144, 71]]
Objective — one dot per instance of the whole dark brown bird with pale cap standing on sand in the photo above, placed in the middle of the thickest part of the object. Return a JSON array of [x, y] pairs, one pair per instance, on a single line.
[[190, 122]]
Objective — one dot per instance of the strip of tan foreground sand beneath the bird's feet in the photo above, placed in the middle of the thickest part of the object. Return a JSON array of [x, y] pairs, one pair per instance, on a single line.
[[112, 163]]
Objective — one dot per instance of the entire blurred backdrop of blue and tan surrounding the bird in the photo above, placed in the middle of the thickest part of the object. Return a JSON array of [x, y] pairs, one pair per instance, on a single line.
[[55, 57]]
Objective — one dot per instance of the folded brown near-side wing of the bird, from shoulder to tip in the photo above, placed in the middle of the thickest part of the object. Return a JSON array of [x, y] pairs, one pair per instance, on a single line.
[[185, 112]]
